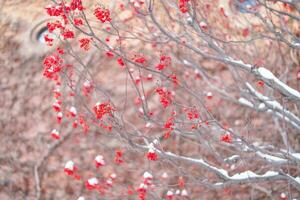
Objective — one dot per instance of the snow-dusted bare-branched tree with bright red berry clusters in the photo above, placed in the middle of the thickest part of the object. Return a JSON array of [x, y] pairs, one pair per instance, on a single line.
[[175, 99]]
